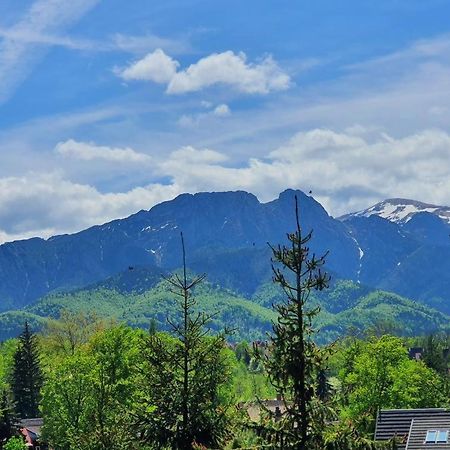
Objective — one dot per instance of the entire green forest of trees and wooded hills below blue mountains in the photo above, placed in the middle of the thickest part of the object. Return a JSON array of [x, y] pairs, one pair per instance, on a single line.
[[190, 378]]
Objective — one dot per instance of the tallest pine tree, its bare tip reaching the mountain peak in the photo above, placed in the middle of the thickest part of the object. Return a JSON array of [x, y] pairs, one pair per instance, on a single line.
[[295, 363]]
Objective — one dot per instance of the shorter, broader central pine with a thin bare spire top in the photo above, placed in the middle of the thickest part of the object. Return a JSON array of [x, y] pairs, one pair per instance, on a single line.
[[185, 377]]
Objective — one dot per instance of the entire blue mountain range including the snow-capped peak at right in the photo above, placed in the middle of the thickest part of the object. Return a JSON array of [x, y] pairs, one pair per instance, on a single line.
[[401, 246]]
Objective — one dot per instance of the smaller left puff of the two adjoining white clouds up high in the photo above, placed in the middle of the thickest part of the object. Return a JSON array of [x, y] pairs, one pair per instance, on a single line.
[[156, 67]]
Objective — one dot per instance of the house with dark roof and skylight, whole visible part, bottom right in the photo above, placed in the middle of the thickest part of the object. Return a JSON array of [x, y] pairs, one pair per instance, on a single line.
[[415, 429]]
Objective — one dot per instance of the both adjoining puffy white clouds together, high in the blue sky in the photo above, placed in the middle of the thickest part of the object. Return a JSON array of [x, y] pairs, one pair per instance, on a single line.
[[225, 68]]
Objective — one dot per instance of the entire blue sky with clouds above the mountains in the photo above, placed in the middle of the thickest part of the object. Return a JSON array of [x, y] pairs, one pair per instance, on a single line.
[[109, 107]]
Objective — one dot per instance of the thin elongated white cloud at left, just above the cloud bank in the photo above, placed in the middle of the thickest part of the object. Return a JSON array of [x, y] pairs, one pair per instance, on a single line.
[[88, 151]]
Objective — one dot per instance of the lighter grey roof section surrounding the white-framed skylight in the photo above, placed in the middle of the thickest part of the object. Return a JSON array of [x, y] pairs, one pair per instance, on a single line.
[[419, 429]]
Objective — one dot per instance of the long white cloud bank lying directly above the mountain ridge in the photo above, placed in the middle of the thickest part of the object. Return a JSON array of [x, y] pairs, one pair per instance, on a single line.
[[347, 171]]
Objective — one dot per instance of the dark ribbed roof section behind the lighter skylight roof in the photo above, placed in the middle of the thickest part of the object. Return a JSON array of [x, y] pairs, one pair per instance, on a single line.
[[397, 422]]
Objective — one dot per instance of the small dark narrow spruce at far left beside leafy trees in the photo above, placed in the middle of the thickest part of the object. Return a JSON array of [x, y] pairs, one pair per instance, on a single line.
[[27, 376]]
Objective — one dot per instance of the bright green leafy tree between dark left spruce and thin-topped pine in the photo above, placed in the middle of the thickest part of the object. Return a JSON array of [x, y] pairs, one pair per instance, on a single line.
[[87, 398]]
